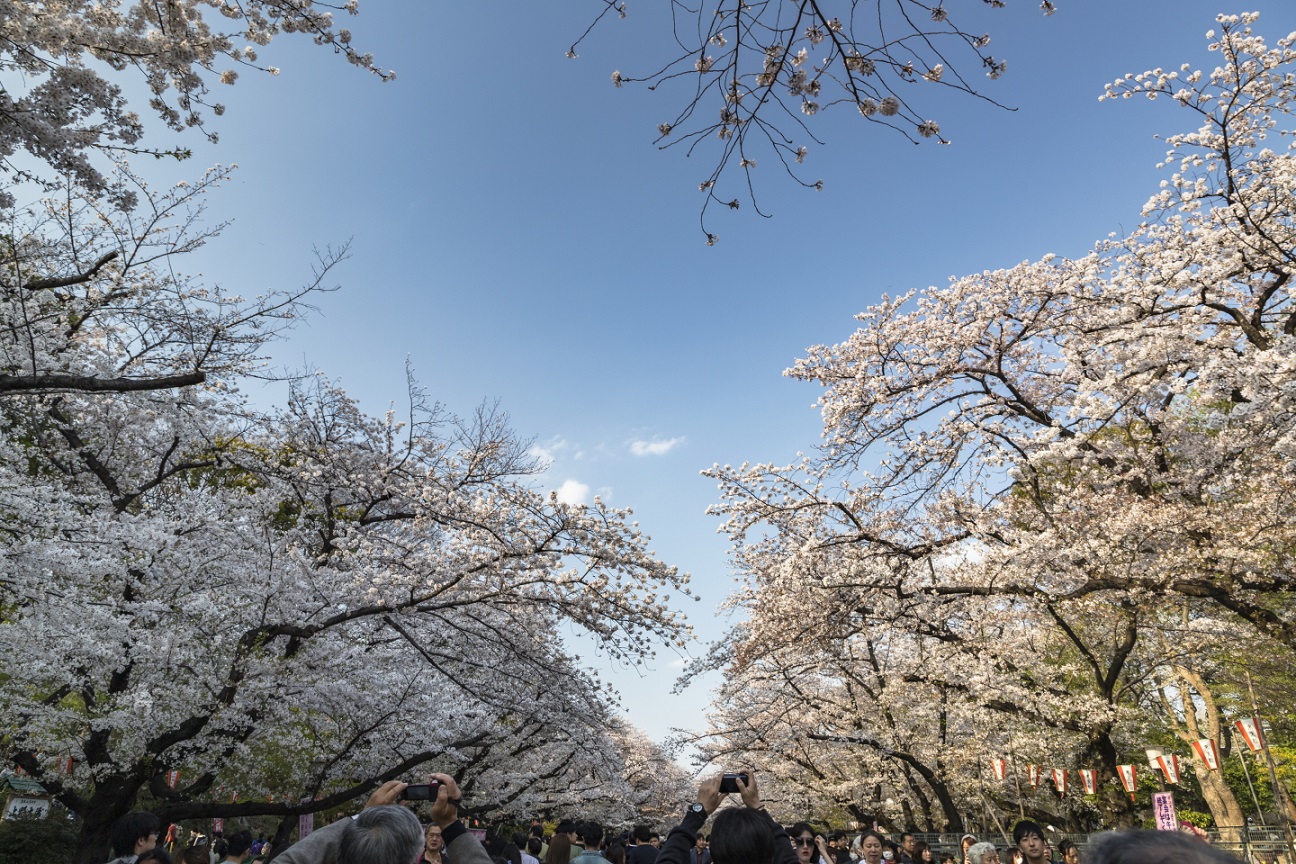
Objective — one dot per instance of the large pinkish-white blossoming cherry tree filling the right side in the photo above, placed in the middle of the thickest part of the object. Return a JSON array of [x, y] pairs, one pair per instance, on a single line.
[[1030, 472]]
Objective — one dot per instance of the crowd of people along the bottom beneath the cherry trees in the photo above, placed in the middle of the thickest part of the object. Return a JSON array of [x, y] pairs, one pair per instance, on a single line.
[[387, 832]]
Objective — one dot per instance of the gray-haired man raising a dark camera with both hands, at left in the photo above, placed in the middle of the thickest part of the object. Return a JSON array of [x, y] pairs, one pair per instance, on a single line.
[[388, 834]]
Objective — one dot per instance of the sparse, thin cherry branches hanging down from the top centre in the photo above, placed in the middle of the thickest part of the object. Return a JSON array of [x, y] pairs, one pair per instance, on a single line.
[[752, 77]]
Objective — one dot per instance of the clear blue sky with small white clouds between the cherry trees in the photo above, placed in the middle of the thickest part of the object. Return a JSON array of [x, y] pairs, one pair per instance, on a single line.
[[518, 236]]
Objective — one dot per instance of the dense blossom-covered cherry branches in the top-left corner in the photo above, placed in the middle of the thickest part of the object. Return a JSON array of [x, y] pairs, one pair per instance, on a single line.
[[64, 64]]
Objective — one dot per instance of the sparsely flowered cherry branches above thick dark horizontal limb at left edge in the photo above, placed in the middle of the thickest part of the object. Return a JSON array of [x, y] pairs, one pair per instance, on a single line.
[[90, 305]]
